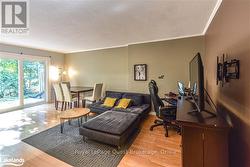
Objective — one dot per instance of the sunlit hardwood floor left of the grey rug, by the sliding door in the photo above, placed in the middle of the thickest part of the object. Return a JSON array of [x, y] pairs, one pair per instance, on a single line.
[[17, 125]]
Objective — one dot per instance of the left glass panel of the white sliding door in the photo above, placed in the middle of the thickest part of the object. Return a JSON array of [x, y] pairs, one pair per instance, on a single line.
[[9, 83]]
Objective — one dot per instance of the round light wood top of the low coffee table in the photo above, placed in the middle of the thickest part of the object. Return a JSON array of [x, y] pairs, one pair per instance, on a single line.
[[74, 113]]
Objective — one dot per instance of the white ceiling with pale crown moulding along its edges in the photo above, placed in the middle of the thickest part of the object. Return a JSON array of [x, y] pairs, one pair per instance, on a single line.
[[77, 25]]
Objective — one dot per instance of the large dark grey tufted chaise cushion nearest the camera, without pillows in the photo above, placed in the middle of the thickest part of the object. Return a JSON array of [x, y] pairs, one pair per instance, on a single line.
[[111, 122]]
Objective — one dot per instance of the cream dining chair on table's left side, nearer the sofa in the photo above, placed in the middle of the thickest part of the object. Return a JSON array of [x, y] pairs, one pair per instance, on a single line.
[[68, 99]]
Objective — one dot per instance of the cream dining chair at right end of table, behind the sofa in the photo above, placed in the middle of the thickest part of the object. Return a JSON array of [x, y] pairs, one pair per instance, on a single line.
[[96, 96]]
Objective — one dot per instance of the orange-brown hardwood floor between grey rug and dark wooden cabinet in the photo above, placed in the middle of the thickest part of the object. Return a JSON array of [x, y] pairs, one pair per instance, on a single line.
[[153, 149]]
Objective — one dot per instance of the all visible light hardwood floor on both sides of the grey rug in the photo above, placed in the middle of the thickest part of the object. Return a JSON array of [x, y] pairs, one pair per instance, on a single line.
[[149, 149]]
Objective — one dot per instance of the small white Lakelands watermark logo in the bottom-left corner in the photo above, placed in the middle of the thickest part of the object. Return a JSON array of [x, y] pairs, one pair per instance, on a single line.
[[5, 160]]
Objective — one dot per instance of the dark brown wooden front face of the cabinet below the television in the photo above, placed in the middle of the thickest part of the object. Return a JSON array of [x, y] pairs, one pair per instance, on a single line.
[[204, 147]]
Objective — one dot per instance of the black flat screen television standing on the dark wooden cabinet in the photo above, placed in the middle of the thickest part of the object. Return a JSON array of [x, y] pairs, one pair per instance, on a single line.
[[196, 75]]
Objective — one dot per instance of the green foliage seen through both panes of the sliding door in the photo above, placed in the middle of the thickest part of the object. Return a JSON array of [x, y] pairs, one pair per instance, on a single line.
[[33, 77]]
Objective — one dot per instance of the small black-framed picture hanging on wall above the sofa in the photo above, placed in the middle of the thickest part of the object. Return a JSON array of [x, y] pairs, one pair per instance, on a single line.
[[140, 72]]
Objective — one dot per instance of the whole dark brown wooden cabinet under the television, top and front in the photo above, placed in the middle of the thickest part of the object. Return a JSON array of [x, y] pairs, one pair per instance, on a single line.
[[204, 137]]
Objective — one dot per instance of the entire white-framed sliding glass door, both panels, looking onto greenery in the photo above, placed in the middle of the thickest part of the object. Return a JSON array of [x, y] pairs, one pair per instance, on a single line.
[[23, 81]]
